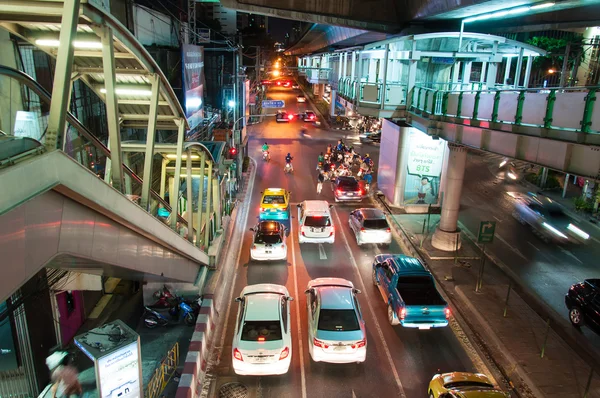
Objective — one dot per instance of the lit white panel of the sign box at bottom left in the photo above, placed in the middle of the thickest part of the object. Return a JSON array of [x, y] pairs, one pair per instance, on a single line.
[[119, 373]]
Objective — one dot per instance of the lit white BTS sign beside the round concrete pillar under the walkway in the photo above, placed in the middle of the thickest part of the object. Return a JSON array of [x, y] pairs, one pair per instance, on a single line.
[[424, 168]]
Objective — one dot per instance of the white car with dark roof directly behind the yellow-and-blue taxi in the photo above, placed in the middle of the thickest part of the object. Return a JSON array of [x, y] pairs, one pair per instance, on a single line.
[[268, 242]]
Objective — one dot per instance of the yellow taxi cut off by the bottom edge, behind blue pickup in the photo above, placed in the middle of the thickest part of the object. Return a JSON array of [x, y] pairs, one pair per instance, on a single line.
[[464, 385]]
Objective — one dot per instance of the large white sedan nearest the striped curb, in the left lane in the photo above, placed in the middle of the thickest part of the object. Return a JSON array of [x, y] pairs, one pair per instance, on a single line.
[[262, 342]]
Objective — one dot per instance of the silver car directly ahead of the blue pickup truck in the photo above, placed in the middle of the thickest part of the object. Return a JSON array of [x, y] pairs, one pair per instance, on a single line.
[[370, 226]]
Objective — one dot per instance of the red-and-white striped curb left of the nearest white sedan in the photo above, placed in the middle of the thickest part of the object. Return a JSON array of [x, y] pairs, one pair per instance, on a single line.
[[192, 377]]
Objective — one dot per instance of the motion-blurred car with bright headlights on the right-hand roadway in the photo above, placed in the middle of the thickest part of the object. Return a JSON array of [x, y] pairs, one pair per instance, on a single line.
[[547, 219]]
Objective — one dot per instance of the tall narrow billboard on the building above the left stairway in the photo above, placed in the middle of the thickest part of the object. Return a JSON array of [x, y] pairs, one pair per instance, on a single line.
[[192, 58]]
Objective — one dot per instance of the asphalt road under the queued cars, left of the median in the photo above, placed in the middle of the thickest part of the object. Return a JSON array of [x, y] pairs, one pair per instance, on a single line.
[[400, 362]]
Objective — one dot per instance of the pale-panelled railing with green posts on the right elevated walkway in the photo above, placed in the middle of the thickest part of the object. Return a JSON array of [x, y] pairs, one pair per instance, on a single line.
[[564, 108]]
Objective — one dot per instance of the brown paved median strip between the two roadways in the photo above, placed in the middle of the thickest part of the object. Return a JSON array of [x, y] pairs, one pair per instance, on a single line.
[[514, 342]]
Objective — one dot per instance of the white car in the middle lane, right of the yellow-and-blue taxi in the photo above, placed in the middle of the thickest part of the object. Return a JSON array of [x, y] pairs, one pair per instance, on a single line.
[[315, 222]]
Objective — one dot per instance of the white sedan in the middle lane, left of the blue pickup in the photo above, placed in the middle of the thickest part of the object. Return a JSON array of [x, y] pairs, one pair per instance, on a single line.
[[336, 329]]
